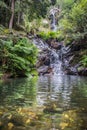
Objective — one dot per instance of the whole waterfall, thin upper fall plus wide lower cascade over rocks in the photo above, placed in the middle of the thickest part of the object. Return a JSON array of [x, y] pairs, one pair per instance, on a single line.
[[50, 58]]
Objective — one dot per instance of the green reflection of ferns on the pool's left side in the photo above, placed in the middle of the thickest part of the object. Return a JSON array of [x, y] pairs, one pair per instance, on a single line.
[[18, 92]]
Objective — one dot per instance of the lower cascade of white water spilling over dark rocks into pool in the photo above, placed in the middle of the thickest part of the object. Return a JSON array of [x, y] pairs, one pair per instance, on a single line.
[[51, 56]]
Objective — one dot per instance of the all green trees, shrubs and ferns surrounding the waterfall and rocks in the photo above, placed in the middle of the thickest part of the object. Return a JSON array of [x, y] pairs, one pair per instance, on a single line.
[[27, 16]]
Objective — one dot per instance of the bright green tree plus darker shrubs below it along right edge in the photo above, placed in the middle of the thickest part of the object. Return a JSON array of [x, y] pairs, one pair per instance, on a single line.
[[73, 27]]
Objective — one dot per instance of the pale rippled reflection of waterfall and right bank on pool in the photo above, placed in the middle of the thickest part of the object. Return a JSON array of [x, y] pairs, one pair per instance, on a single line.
[[63, 89]]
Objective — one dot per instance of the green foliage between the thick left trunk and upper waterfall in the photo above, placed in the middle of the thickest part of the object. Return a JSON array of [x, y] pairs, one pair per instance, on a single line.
[[35, 10]]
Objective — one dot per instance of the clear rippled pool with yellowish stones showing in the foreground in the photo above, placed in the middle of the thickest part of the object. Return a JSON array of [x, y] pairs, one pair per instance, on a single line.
[[57, 102]]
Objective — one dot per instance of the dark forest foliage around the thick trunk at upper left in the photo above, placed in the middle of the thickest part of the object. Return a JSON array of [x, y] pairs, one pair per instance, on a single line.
[[32, 9]]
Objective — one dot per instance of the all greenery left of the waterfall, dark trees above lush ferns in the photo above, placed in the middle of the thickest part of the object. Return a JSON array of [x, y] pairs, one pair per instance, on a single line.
[[18, 55]]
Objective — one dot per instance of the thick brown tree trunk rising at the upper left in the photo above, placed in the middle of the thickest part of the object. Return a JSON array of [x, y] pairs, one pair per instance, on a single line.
[[12, 15]]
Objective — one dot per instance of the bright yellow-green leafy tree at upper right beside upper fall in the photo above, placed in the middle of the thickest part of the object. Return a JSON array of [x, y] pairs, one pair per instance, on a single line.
[[74, 24]]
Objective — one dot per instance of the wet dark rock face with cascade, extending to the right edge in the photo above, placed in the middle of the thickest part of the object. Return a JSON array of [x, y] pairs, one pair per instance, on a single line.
[[54, 57]]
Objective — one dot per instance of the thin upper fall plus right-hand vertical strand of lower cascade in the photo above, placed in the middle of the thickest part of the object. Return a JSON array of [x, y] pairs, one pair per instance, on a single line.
[[56, 62]]
